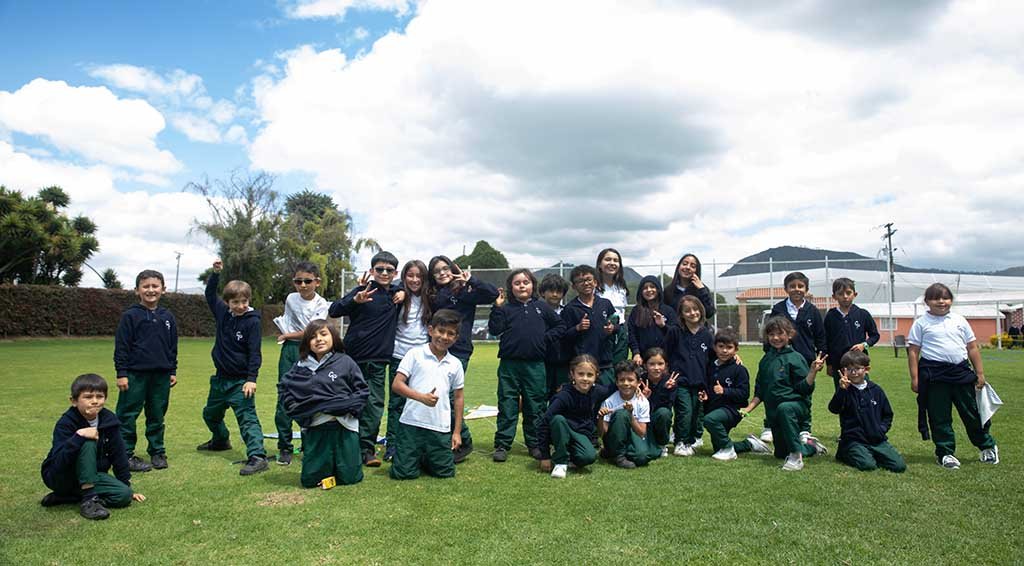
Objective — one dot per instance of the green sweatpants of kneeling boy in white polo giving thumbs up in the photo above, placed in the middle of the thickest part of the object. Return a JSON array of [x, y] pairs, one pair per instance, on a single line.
[[424, 450]]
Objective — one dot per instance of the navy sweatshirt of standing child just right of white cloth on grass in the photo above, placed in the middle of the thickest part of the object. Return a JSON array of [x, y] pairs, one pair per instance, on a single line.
[[526, 330]]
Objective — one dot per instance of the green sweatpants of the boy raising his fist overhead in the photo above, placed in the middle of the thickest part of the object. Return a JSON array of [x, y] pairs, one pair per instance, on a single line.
[[225, 394]]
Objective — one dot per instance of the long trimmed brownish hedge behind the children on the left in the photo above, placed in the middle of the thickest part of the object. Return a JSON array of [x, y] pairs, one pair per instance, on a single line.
[[47, 311]]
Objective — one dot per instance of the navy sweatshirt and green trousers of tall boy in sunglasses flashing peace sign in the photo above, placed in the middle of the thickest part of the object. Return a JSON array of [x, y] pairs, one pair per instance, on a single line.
[[370, 341]]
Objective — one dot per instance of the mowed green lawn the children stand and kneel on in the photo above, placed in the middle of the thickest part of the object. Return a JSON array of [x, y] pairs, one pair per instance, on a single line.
[[200, 511]]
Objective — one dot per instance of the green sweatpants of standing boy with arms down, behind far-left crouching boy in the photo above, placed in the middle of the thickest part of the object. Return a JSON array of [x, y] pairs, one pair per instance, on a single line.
[[150, 391]]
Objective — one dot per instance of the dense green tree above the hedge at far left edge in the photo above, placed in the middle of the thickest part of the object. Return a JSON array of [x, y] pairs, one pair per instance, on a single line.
[[40, 245]]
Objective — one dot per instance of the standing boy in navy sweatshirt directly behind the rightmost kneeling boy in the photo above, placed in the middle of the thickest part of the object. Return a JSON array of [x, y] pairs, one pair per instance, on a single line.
[[847, 327]]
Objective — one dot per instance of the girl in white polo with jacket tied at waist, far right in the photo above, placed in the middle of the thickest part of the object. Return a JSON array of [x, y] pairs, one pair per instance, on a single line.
[[941, 344]]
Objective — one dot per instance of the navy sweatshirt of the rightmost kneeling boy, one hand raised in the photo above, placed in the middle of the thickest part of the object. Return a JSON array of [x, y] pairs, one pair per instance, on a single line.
[[865, 417]]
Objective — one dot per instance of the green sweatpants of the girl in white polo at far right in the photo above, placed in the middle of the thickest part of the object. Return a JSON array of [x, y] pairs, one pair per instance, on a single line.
[[942, 399]]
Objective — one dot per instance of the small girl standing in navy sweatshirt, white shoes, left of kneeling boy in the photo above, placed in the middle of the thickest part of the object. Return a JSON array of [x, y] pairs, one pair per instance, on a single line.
[[690, 349]]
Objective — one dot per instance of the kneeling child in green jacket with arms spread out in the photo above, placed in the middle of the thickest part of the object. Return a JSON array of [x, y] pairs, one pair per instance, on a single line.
[[785, 384]]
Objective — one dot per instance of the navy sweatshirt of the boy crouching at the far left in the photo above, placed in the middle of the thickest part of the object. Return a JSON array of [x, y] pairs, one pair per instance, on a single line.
[[59, 468]]
